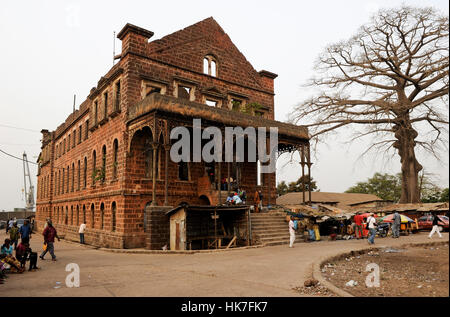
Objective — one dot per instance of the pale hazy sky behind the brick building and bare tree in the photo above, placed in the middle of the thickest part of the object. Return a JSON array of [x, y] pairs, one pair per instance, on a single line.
[[52, 50]]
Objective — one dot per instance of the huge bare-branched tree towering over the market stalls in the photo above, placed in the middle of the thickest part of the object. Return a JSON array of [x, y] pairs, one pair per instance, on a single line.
[[389, 81]]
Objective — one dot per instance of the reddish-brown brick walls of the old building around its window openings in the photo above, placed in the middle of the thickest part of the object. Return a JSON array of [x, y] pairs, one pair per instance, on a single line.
[[130, 190]]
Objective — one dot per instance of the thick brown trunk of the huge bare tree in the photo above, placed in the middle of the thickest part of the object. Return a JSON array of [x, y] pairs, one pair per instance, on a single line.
[[405, 135]]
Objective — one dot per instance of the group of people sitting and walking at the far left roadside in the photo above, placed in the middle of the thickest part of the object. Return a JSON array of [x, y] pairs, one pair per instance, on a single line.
[[23, 251]]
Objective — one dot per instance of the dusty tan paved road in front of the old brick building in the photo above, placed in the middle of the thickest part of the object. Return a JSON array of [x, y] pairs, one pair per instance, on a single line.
[[269, 271]]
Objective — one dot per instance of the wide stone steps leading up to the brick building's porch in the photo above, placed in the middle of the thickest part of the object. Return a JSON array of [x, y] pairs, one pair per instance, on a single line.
[[271, 228]]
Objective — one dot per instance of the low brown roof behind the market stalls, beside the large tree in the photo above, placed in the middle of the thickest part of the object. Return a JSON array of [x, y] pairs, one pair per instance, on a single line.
[[342, 200]]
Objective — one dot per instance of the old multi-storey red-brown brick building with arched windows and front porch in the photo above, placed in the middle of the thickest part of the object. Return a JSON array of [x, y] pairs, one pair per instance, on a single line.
[[109, 161]]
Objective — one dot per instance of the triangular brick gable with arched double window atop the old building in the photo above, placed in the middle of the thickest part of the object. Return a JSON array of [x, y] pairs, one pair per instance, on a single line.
[[187, 48]]
